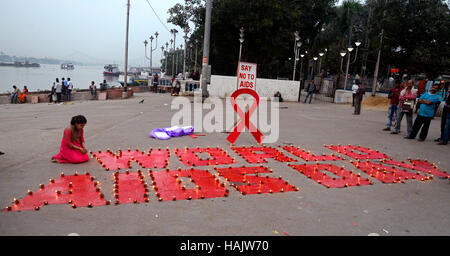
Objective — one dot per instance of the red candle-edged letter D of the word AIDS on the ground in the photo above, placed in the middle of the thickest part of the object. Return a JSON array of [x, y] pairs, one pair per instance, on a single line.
[[170, 186]]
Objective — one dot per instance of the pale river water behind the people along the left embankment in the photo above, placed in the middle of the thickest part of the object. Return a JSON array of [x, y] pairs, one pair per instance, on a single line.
[[42, 78]]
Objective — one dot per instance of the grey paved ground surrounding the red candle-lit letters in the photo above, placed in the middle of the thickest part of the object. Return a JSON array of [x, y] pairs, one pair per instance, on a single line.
[[31, 134]]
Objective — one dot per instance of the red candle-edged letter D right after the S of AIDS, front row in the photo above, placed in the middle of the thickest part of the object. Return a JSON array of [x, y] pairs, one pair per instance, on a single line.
[[317, 173]]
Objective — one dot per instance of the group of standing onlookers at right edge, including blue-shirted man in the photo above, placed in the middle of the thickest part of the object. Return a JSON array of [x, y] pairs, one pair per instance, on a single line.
[[405, 100]]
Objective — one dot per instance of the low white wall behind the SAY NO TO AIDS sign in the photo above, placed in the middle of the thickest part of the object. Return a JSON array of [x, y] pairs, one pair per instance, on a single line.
[[224, 86]]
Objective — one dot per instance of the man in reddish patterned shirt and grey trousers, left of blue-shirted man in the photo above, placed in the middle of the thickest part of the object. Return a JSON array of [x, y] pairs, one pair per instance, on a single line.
[[406, 106]]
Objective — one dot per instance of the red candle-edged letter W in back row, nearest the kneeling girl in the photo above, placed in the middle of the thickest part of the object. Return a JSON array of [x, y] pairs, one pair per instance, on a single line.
[[122, 160]]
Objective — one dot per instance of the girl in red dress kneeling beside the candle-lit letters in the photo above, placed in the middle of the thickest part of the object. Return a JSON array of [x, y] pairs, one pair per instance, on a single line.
[[72, 148]]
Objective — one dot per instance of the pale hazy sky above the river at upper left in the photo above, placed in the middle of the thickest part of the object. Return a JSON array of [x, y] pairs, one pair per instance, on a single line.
[[91, 31]]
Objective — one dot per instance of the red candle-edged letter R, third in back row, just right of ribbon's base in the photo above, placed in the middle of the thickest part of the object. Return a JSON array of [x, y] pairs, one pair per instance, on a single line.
[[251, 156]]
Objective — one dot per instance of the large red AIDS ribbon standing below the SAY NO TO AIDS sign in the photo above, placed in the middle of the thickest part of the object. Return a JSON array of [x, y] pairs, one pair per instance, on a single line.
[[245, 118]]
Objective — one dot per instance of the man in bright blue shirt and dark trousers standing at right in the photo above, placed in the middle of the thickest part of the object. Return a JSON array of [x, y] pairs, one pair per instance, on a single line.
[[425, 114]]
